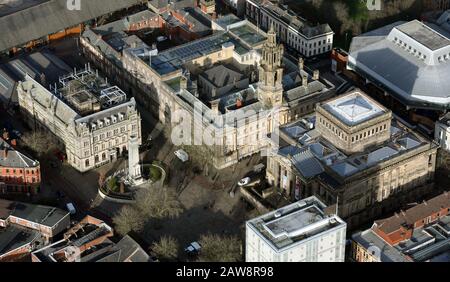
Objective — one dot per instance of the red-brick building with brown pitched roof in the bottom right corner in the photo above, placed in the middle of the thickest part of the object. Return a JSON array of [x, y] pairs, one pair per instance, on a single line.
[[419, 234]]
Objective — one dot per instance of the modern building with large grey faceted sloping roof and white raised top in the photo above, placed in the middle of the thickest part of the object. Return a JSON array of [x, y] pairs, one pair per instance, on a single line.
[[408, 60]]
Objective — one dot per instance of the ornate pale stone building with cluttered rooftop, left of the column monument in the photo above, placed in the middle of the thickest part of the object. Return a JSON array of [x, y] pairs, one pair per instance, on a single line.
[[90, 118]]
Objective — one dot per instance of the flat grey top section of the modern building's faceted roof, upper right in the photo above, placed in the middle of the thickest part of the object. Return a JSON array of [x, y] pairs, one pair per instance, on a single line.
[[424, 35]]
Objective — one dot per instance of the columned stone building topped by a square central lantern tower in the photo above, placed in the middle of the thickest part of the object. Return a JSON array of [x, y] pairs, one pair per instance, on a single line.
[[388, 164]]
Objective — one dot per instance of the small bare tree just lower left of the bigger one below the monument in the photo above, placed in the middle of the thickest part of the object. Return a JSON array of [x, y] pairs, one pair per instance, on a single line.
[[128, 219]]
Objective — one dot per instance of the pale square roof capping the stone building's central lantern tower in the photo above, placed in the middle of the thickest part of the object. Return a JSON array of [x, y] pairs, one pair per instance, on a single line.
[[354, 108]]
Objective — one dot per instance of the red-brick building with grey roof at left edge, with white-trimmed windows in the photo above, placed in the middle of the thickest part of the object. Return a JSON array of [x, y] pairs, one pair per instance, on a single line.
[[18, 173]]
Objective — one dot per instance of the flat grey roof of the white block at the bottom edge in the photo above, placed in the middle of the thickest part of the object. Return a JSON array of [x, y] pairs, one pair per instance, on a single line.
[[295, 222]]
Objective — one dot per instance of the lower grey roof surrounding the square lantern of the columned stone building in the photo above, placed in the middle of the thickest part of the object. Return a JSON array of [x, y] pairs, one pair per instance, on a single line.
[[402, 140]]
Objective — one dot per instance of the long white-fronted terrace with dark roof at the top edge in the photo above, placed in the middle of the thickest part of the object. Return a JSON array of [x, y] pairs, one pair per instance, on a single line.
[[291, 29]]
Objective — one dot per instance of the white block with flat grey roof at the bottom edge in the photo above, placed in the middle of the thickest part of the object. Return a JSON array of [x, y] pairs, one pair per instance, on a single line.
[[299, 232]]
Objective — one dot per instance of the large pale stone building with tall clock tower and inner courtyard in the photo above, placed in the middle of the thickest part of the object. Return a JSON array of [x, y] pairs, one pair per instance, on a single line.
[[241, 118]]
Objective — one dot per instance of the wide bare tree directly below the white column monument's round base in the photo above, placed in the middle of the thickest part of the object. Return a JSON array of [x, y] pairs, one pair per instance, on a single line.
[[158, 203]]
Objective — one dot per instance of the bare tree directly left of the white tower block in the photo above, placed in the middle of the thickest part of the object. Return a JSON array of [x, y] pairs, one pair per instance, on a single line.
[[216, 248]]
